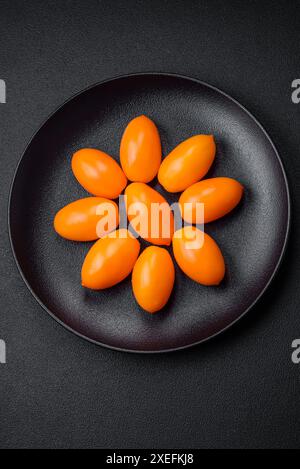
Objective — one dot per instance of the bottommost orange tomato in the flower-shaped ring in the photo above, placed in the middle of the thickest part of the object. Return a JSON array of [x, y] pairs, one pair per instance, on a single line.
[[153, 279]]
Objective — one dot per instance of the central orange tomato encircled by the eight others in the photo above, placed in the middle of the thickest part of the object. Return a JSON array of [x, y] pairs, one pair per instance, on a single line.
[[140, 196]]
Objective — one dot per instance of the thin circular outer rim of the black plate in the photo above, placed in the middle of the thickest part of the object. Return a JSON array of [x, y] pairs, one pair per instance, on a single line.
[[275, 270]]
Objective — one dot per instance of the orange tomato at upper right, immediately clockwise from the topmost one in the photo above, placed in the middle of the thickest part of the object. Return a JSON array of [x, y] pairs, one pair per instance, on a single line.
[[187, 163]]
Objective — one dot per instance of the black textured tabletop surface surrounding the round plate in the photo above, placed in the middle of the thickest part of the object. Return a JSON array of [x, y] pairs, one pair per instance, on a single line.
[[239, 390]]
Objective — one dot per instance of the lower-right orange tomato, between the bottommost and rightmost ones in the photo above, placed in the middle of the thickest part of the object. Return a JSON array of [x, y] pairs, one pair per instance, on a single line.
[[204, 264]]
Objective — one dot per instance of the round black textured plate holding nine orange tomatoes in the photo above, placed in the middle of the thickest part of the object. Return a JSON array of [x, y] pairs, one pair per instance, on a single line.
[[252, 238]]
